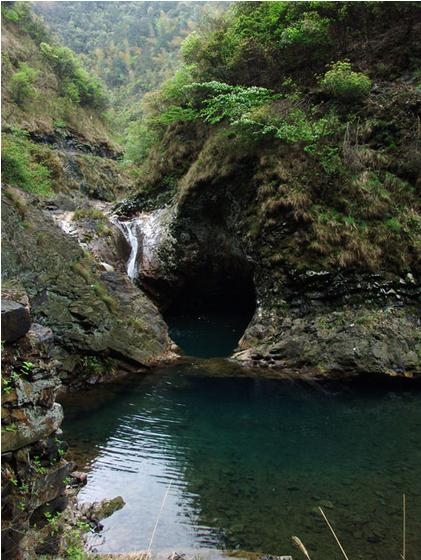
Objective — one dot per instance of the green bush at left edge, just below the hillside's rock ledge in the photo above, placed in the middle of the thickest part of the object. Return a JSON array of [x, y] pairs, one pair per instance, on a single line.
[[24, 166]]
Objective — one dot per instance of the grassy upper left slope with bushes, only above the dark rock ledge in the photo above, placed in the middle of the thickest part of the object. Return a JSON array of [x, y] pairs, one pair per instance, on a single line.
[[44, 85]]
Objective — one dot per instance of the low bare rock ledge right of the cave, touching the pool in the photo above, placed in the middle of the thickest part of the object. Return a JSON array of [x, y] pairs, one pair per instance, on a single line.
[[360, 331]]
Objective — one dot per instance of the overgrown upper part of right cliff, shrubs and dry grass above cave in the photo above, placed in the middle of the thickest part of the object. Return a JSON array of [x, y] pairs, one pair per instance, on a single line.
[[306, 115]]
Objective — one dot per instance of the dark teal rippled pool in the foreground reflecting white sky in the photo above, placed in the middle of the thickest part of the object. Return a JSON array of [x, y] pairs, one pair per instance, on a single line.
[[250, 460]]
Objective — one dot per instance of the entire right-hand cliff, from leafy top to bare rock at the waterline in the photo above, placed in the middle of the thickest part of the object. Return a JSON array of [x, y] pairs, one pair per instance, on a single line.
[[305, 184]]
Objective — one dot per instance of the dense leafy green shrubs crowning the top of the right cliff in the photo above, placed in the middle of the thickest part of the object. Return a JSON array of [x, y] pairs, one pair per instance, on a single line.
[[270, 34]]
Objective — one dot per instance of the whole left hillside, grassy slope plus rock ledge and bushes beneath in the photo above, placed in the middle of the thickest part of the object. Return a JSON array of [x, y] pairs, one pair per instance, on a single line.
[[54, 134]]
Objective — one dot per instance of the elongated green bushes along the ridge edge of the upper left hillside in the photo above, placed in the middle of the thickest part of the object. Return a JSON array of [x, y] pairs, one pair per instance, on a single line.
[[77, 84]]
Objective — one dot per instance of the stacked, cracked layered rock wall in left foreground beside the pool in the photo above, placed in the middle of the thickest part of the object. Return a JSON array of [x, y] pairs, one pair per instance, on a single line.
[[33, 465]]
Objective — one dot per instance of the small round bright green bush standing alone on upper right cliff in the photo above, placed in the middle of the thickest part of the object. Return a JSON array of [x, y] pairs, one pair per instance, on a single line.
[[345, 84]]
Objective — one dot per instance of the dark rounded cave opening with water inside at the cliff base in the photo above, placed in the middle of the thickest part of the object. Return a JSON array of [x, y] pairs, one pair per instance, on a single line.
[[211, 311]]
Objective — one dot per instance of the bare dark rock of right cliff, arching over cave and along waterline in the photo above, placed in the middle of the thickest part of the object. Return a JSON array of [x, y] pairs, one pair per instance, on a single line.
[[327, 321]]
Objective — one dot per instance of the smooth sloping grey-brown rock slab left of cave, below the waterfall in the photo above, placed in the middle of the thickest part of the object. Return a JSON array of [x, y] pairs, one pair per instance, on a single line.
[[100, 320]]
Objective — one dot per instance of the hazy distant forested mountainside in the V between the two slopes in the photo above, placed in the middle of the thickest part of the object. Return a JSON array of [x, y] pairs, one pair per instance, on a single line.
[[132, 46]]
